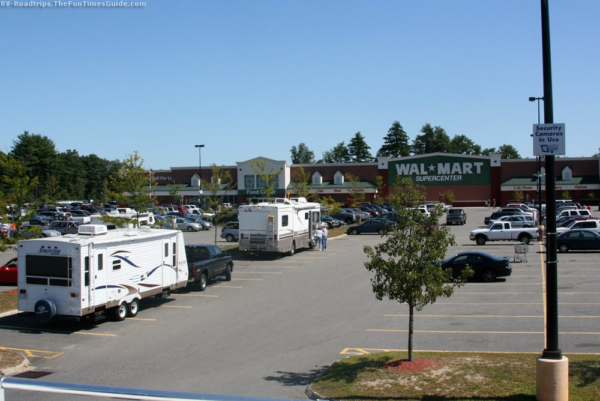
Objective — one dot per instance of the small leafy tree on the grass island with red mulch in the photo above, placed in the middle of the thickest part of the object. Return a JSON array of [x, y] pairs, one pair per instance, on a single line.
[[406, 265]]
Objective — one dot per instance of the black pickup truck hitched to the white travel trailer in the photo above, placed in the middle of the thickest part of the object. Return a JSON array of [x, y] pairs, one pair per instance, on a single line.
[[207, 262]]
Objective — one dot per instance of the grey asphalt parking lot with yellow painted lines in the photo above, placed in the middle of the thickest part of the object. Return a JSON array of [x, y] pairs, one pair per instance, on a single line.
[[281, 321]]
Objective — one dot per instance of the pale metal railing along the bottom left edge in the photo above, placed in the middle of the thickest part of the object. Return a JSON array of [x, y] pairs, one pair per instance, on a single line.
[[14, 383]]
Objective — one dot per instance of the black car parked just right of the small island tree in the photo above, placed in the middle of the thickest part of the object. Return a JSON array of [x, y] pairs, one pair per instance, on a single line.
[[485, 266]]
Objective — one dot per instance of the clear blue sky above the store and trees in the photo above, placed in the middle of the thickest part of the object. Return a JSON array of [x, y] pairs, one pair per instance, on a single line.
[[250, 78]]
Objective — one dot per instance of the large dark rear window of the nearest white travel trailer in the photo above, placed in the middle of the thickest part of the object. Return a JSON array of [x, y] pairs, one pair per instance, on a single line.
[[49, 270]]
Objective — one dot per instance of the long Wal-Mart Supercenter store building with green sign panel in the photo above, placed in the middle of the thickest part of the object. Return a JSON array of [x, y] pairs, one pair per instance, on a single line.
[[473, 179]]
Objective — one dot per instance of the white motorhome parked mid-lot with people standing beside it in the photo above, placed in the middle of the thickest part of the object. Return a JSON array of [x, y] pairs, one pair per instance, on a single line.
[[284, 225]]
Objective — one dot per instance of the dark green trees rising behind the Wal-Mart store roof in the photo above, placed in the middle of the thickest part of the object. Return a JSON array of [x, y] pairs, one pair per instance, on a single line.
[[397, 144]]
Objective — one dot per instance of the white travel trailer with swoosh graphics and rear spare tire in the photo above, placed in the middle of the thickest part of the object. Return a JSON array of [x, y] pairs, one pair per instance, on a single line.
[[97, 270]]
